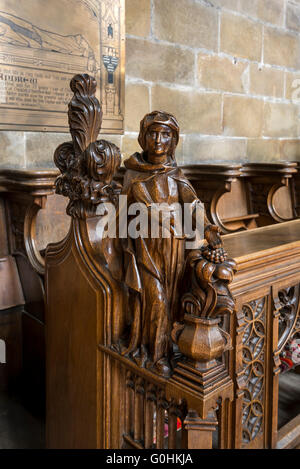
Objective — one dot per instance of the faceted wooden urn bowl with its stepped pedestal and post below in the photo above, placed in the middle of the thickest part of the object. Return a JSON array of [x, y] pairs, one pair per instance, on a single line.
[[201, 378]]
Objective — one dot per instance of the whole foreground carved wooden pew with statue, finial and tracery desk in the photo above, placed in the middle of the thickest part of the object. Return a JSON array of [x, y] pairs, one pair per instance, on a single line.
[[220, 385]]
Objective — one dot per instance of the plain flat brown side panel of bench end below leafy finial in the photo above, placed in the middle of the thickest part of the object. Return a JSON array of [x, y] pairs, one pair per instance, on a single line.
[[72, 421]]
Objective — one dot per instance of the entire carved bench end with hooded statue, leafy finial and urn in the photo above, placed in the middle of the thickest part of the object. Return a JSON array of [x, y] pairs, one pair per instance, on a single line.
[[153, 308]]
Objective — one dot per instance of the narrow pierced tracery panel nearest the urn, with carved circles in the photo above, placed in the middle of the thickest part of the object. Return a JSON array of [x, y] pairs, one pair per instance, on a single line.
[[254, 368]]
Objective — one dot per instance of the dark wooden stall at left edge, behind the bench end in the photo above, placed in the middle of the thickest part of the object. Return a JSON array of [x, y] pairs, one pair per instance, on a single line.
[[31, 216]]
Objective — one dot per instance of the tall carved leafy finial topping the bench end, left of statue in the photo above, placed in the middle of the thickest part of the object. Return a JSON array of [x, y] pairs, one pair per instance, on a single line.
[[87, 165]]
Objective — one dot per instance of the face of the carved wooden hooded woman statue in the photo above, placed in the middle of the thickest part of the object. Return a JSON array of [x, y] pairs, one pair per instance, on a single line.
[[159, 139]]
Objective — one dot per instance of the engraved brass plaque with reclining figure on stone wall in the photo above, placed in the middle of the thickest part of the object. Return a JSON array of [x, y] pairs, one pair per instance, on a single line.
[[43, 44]]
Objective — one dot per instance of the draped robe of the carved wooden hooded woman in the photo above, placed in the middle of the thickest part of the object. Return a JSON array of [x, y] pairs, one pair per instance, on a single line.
[[154, 266]]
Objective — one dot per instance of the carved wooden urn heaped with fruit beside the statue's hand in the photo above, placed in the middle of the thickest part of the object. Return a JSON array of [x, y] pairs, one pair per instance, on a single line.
[[207, 276]]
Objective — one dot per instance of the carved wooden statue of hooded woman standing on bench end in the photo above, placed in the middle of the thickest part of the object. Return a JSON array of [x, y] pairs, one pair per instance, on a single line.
[[154, 265]]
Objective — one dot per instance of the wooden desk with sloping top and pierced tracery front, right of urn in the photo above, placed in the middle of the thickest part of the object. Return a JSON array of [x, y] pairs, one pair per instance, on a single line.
[[266, 291]]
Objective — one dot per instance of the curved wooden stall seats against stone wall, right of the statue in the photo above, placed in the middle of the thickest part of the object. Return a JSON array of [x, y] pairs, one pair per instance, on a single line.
[[244, 196]]
